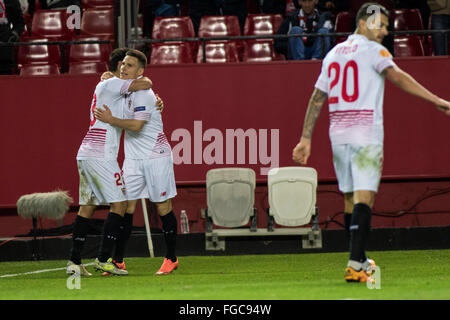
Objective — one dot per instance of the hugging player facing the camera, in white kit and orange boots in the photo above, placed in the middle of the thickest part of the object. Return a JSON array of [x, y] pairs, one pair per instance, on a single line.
[[148, 167]]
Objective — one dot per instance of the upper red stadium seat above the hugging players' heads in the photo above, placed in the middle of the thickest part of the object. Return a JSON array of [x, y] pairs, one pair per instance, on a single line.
[[98, 23]]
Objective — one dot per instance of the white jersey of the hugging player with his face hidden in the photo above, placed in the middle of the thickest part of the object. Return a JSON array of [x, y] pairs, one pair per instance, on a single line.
[[102, 140]]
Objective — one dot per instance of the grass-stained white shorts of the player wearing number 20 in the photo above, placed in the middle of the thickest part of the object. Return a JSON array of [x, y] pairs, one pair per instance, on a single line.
[[358, 167]]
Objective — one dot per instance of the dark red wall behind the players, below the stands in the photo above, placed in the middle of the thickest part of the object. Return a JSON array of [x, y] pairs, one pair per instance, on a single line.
[[44, 120]]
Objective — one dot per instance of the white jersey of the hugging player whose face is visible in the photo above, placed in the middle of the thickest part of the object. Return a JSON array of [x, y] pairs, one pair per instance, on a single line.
[[150, 142]]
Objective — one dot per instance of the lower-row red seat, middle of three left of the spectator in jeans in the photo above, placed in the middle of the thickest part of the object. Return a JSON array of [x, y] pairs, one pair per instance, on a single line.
[[219, 52]]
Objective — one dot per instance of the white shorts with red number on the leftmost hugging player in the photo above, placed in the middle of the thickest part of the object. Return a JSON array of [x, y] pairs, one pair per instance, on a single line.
[[101, 182]]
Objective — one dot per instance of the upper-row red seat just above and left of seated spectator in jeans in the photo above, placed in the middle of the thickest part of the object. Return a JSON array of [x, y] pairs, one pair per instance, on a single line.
[[262, 24]]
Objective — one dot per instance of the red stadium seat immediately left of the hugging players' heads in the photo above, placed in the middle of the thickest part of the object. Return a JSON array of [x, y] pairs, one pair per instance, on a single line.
[[89, 52]]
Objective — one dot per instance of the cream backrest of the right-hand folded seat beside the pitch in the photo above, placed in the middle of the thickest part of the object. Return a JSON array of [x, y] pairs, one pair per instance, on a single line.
[[292, 195]]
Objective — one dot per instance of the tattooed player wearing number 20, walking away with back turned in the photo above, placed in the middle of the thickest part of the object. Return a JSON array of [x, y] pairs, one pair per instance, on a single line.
[[352, 79]]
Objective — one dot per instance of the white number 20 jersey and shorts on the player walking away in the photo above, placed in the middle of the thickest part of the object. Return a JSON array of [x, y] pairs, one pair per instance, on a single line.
[[351, 77]]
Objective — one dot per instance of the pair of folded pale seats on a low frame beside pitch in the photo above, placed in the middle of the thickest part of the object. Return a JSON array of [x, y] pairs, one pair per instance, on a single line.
[[231, 205]]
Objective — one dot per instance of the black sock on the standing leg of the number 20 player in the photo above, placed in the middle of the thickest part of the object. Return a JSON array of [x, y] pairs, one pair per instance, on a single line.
[[359, 232]]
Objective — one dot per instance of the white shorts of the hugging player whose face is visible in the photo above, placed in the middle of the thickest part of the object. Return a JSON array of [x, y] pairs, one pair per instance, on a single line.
[[150, 178]]
